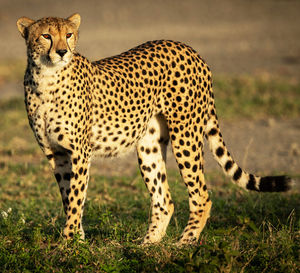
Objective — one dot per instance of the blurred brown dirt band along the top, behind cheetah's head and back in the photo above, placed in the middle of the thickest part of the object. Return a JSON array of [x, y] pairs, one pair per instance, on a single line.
[[233, 36]]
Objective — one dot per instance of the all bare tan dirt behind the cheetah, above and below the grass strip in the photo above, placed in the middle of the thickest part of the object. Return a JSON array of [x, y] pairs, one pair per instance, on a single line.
[[235, 37]]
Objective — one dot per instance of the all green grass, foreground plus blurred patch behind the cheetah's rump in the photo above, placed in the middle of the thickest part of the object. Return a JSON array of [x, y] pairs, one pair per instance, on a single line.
[[247, 232]]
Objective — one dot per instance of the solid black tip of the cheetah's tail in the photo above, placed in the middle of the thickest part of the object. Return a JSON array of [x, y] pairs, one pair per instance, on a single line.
[[275, 183]]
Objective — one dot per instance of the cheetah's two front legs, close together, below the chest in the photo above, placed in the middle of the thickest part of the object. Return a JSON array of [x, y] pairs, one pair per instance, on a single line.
[[72, 173]]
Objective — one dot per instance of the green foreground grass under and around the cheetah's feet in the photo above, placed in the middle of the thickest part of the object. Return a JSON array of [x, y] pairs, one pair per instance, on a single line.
[[247, 232]]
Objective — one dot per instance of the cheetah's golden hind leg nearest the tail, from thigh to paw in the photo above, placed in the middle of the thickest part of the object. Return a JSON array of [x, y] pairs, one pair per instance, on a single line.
[[189, 158]]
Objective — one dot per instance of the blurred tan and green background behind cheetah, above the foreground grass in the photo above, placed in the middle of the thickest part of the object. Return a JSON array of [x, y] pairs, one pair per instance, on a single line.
[[252, 47]]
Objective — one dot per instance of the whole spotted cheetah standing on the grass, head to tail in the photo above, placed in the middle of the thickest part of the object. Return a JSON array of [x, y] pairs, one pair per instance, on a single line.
[[153, 94]]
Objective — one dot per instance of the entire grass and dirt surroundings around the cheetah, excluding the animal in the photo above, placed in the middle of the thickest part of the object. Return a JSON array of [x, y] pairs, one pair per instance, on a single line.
[[253, 50]]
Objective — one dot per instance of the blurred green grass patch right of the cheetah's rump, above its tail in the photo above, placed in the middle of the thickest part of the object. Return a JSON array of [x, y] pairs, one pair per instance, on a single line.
[[256, 97]]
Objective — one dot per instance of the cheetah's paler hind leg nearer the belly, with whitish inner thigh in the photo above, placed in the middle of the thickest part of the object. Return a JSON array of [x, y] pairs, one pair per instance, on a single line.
[[151, 151]]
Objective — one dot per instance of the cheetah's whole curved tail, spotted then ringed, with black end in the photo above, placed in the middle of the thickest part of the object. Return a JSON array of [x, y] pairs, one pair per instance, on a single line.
[[232, 170]]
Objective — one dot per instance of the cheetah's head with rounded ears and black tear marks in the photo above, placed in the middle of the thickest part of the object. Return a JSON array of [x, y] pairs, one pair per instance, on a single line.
[[50, 41]]
